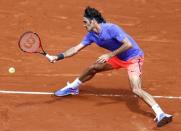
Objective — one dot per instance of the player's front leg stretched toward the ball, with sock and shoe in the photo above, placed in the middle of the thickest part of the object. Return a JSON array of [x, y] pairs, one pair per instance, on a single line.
[[89, 73]]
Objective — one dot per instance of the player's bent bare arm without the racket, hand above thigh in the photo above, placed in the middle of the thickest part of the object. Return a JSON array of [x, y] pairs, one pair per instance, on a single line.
[[126, 44]]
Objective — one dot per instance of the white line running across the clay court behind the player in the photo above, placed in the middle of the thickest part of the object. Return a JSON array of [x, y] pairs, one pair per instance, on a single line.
[[92, 94]]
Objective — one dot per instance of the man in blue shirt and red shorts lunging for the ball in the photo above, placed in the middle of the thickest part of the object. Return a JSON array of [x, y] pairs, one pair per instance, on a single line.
[[124, 53]]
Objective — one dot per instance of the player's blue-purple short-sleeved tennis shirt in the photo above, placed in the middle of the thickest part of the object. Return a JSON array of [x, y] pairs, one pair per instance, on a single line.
[[110, 37]]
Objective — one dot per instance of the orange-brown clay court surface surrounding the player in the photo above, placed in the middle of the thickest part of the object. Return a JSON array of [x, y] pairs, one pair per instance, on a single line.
[[105, 103]]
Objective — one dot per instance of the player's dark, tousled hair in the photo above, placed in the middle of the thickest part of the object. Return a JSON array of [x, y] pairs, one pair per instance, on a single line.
[[93, 13]]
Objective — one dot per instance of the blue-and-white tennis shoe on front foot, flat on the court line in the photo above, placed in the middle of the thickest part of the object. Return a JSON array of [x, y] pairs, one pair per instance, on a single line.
[[67, 90]]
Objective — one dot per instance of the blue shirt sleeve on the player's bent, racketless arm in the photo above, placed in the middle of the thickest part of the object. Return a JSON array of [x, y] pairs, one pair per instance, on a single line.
[[117, 33]]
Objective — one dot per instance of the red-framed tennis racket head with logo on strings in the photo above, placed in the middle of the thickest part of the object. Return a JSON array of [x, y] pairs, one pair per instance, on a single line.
[[30, 42]]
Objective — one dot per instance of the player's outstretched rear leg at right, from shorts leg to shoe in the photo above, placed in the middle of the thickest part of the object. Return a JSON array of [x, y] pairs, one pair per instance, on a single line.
[[134, 73]]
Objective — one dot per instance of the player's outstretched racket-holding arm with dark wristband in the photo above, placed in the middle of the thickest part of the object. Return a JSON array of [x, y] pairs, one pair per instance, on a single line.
[[68, 53]]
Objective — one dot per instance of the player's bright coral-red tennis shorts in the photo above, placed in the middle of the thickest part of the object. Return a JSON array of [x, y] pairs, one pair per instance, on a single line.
[[133, 66]]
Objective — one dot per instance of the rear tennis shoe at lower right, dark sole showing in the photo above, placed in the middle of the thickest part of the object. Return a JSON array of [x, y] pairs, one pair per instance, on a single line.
[[163, 119]]
